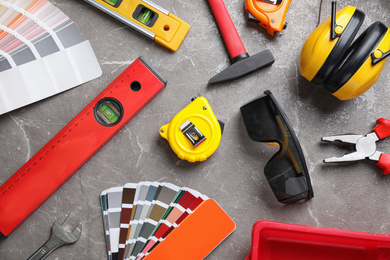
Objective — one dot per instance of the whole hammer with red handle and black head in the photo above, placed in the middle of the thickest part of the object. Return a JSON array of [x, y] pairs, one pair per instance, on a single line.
[[242, 63]]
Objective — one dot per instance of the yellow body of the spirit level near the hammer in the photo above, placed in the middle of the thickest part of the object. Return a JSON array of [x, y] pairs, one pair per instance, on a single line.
[[169, 30]]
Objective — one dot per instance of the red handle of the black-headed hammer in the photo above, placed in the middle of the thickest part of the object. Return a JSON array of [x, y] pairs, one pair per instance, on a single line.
[[228, 30]]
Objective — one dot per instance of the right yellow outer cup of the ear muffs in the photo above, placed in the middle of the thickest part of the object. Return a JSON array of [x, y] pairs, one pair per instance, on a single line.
[[367, 74]]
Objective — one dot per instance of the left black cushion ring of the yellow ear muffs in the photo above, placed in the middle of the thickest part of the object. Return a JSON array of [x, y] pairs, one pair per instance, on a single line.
[[340, 48]]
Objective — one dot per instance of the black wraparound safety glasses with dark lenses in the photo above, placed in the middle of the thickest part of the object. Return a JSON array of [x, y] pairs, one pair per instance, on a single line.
[[286, 171]]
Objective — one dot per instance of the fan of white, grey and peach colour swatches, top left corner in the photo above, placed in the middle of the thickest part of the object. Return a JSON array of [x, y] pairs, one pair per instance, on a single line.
[[42, 53]]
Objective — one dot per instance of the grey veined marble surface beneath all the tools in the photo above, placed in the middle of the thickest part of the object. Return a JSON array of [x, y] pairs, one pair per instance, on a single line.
[[353, 196]]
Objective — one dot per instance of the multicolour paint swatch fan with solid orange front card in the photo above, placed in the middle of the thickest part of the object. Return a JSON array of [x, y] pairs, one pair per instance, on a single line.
[[152, 220]]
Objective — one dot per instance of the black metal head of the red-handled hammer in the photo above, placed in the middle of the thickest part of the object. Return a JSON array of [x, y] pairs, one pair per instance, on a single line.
[[244, 67]]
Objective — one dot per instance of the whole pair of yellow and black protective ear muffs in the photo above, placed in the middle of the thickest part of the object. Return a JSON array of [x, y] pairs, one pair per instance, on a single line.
[[345, 70]]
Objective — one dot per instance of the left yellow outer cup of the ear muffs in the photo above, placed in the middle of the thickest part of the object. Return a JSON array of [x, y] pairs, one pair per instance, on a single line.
[[319, 45]]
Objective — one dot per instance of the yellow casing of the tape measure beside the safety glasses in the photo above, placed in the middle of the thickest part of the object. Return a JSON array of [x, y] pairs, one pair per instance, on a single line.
[[201, 115]]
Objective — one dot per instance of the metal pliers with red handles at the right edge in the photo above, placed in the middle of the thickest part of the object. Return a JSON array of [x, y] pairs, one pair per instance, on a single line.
[[365, 146]]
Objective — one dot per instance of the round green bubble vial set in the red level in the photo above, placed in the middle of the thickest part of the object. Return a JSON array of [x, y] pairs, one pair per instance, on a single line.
[[108, 111]]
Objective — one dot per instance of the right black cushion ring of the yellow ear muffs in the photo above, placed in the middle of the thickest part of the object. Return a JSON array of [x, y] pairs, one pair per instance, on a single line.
[[355, 56]]
